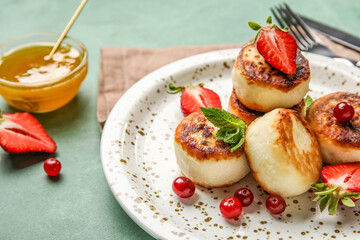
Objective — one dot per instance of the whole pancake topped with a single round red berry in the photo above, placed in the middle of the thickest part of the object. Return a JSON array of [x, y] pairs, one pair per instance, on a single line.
[[339, 141]]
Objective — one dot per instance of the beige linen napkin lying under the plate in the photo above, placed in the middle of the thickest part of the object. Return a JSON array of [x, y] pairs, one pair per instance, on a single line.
[[121, 67]]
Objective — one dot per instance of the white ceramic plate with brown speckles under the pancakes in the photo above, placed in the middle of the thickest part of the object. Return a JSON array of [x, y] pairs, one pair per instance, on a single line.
[[139, 162]]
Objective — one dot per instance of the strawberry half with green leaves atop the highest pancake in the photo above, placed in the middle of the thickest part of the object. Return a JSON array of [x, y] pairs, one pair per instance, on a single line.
[[277, 46]]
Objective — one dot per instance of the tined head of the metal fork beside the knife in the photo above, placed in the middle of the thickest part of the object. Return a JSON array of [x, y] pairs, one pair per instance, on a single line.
[[306, 40]]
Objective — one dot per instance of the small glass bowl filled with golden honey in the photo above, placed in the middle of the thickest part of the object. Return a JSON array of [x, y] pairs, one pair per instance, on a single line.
[[31, 81]]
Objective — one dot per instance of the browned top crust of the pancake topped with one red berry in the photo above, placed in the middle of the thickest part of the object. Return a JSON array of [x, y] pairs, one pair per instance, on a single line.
[[321, 119]]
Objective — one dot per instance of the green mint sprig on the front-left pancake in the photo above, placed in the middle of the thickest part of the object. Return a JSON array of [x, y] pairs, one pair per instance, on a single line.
[[231, 129]]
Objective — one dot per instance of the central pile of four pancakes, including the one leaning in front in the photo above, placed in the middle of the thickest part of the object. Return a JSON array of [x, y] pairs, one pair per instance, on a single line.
[[280, 149]]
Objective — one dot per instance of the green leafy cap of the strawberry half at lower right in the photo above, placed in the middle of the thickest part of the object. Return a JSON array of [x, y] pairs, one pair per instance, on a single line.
[[329, 196]]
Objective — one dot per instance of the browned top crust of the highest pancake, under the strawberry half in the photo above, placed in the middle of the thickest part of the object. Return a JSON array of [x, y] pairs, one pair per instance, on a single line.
[[258, 71]]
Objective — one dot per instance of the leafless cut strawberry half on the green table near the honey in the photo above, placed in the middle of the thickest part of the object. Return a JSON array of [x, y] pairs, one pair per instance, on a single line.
[[22, 133]]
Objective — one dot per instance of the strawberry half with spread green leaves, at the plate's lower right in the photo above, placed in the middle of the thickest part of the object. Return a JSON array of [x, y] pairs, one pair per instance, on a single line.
[[341, 183]]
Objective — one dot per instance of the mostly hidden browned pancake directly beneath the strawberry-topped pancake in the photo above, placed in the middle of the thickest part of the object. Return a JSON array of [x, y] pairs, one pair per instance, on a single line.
[[248, 115]]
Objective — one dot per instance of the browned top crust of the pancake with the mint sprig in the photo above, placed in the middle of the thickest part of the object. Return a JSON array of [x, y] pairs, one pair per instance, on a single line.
[[196, 135]]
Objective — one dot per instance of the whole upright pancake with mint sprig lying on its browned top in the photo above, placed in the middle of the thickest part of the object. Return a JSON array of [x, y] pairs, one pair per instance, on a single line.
[[202, 158]]
